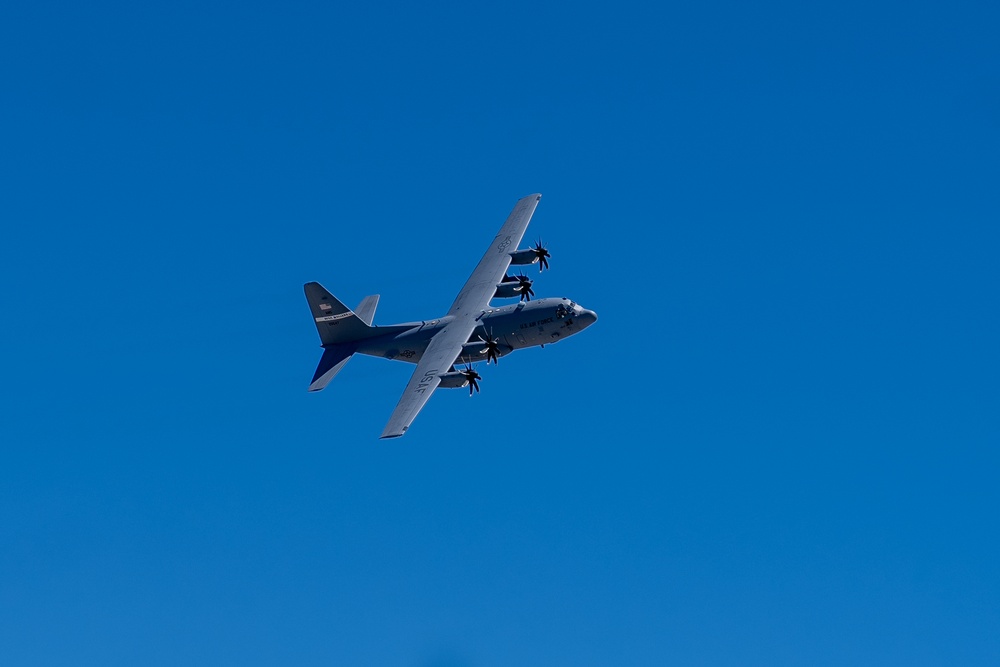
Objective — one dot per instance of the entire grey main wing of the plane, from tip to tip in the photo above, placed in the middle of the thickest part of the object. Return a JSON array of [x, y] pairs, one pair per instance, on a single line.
[[447, 344]]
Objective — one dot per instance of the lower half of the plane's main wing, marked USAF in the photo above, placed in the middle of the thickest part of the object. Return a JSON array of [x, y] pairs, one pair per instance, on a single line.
[[441, 353]]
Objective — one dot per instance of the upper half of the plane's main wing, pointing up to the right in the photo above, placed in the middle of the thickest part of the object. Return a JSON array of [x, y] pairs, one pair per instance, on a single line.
[[479, 288]]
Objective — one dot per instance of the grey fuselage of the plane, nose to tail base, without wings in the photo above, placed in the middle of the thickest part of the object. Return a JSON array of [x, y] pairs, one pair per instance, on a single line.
[[515, 327]]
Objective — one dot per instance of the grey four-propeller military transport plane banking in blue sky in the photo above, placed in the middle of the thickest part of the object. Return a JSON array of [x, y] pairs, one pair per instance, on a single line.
[[473, 330]]
